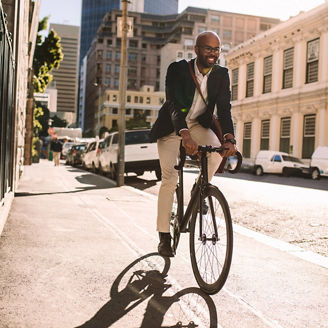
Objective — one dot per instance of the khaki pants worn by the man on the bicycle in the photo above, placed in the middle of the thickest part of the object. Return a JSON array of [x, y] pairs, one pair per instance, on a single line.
[[168, 150]]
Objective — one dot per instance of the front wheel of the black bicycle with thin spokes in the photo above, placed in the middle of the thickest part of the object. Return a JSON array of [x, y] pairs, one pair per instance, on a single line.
[[211, 241]]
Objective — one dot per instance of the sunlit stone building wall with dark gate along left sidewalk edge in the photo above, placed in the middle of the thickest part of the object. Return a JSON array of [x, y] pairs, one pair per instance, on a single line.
[[18, 29]]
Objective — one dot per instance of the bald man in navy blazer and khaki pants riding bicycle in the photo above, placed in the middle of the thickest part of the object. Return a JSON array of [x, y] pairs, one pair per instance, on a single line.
[[187, 115]]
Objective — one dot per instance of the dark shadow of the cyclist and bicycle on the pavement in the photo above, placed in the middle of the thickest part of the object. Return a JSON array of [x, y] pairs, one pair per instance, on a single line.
[[149, 281]]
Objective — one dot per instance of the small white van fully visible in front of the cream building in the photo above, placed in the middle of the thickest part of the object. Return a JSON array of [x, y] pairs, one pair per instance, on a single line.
[[269, 161]]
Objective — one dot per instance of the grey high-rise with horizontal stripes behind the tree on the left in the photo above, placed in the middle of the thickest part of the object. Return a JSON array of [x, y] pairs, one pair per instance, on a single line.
[[65, 79]]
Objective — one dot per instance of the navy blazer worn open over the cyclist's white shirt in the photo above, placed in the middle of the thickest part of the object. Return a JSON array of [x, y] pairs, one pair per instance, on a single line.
[[180, 89]]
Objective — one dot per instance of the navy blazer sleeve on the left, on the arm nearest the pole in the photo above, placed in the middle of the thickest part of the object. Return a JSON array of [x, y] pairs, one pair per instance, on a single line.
[[173, 85]]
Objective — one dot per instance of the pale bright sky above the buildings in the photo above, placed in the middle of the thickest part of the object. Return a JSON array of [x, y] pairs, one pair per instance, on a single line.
[[69, 11]]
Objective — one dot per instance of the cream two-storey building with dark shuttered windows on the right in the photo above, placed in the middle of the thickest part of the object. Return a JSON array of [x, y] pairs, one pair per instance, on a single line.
[[279, 83]]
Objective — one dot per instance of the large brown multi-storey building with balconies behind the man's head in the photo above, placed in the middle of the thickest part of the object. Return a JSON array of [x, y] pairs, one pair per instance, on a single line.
[[147, 62]]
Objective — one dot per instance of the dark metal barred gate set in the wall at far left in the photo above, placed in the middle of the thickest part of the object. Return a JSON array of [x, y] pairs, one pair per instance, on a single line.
[[7, 77]]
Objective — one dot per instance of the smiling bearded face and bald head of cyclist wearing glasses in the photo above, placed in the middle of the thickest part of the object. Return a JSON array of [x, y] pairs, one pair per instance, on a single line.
[[208, 51]]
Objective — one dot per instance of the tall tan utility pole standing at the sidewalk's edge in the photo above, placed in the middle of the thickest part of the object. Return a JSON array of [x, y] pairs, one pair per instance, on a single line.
[[122, 96]]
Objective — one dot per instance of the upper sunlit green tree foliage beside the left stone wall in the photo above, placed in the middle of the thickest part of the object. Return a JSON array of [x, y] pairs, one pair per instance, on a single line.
[[47, 56]]
